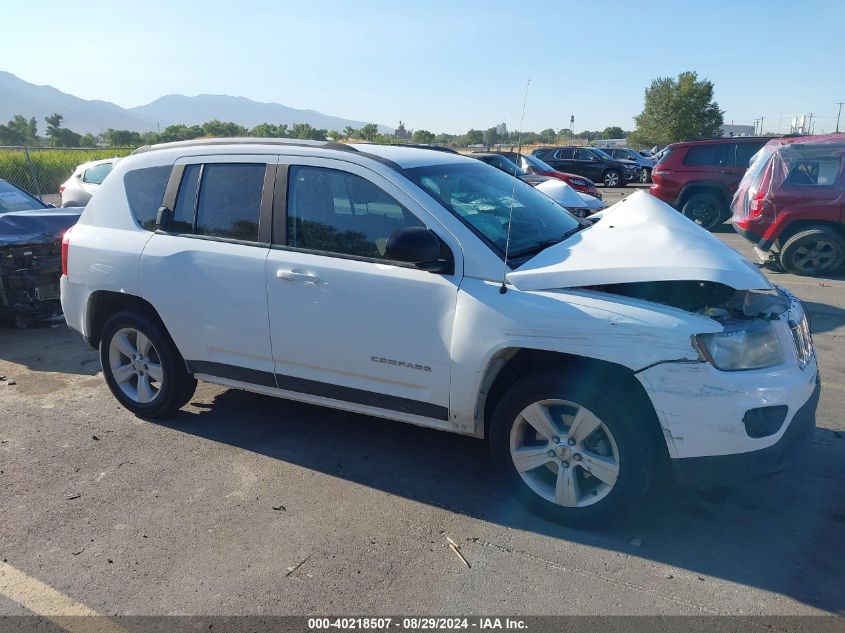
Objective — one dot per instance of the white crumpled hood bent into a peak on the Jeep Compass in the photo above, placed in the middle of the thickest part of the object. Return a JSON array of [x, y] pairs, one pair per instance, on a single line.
[[638, 239]]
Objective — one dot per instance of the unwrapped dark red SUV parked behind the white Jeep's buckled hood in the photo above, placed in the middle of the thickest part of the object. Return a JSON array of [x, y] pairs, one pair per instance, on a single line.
[[700, 177]]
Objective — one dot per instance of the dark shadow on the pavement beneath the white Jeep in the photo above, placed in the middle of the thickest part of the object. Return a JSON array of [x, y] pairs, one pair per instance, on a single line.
[[784, 534]]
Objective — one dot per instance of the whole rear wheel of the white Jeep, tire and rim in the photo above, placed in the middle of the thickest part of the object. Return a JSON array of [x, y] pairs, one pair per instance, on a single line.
[[147, 375]]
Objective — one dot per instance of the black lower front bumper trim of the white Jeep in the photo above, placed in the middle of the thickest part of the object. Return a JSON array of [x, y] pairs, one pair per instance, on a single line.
[[755, 464]]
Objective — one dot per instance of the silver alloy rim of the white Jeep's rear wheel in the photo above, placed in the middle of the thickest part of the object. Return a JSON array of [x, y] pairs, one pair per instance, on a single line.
[[135, 365]]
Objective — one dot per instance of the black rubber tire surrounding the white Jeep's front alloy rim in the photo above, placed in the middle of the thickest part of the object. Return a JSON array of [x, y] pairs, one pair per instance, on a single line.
[[637, 454]]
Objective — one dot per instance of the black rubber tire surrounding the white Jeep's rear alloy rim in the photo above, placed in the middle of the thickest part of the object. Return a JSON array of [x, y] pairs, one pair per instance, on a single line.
[[176, 386]]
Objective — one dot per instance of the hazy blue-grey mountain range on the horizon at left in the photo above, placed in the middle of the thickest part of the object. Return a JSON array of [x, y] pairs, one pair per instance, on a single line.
[[81, 115]]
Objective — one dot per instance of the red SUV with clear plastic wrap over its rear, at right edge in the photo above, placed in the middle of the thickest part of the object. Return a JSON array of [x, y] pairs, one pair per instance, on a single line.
[[791, 203]]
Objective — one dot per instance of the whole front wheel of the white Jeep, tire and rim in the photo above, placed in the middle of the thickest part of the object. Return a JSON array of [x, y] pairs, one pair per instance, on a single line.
[[583, 499]]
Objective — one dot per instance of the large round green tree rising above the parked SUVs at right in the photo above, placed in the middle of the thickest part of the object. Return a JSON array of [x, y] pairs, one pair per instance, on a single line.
[[676, 109]]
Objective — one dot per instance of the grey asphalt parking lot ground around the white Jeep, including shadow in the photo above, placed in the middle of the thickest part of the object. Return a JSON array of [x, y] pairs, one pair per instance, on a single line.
[[245, 504]]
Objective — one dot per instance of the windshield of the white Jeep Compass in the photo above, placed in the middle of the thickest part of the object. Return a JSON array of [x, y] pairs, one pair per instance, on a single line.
[[481, 198]]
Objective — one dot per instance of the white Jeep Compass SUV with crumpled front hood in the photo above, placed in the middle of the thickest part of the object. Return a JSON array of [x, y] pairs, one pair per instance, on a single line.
[[430, 288]]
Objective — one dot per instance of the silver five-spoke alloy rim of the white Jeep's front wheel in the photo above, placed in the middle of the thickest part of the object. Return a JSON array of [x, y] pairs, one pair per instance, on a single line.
[[564, 453]]
